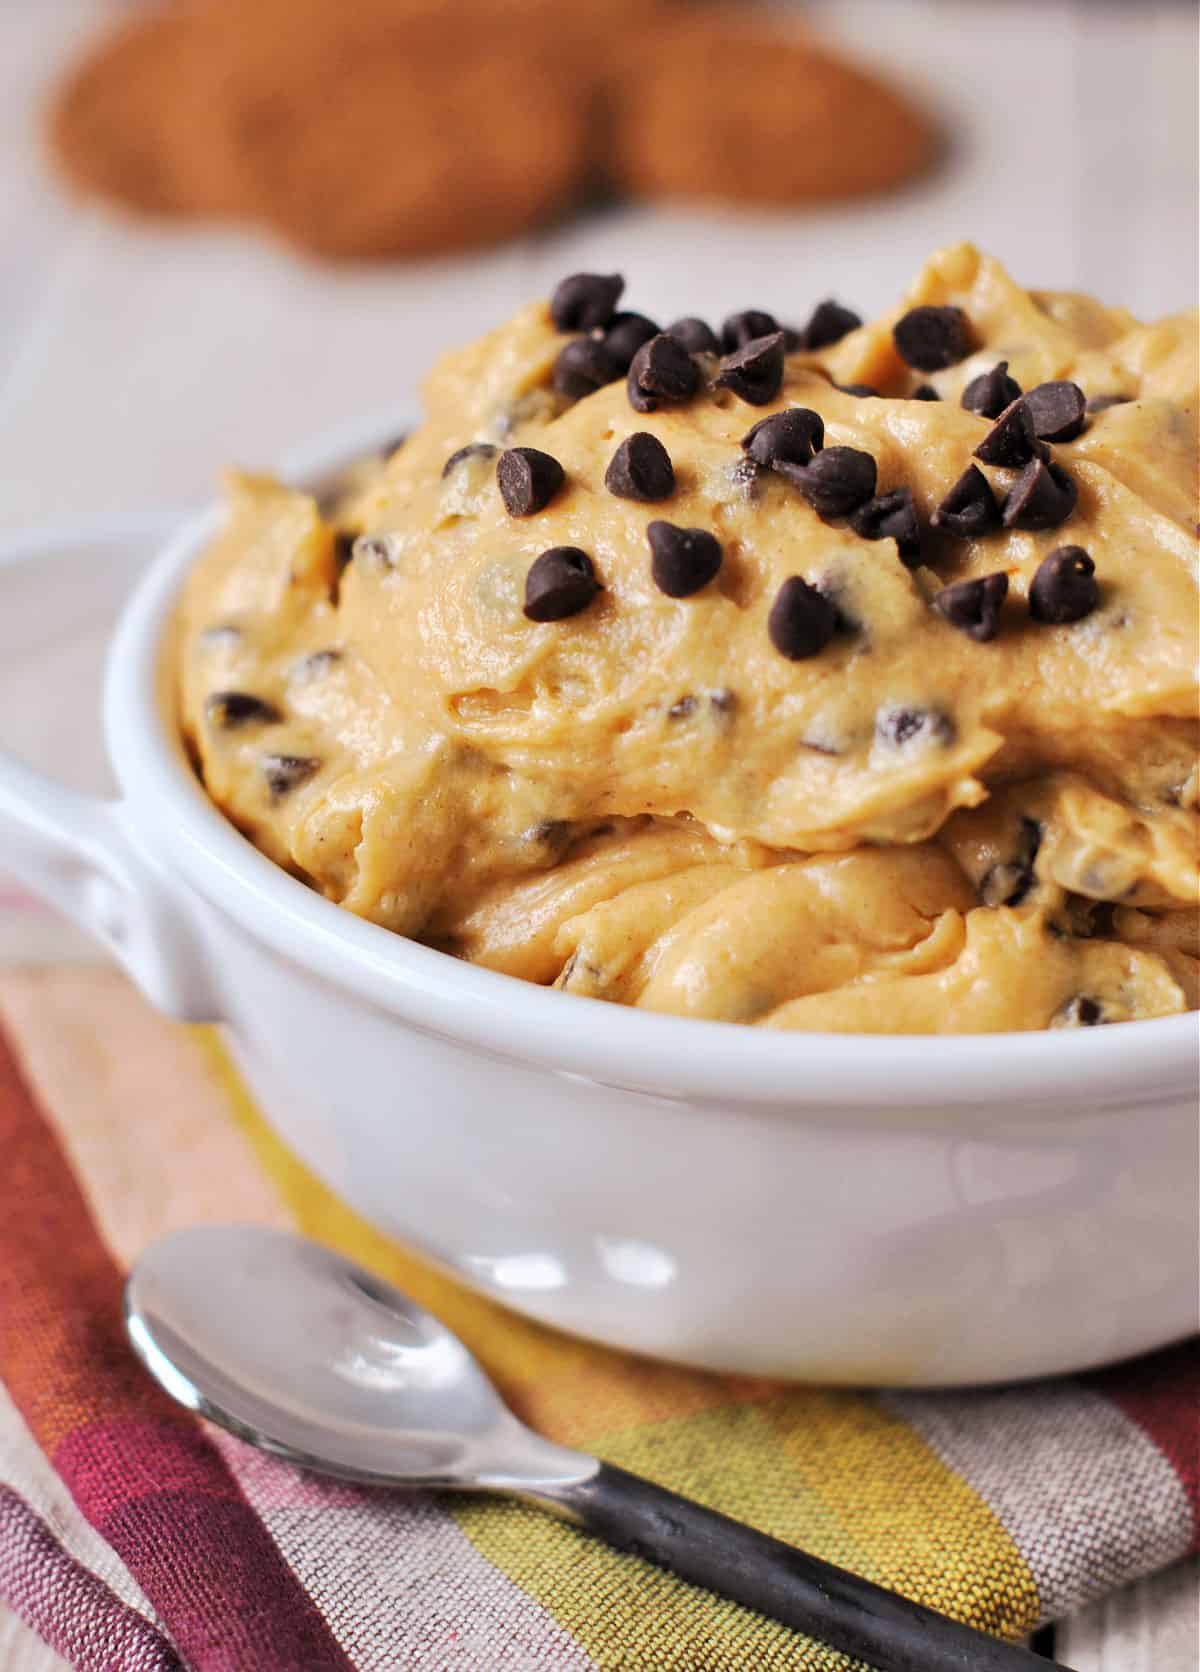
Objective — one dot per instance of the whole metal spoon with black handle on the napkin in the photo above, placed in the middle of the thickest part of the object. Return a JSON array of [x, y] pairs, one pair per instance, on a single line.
[[308, 1357]]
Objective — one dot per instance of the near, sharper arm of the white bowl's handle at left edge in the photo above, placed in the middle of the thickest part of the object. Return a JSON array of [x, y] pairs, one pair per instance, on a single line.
[[79, 855]]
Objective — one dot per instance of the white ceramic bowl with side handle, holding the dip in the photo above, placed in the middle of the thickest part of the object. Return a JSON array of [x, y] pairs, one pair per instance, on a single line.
[[857, 1210]]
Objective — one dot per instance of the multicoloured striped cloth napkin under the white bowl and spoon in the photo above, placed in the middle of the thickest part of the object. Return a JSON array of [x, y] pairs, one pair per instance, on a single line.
[[135, 1539]]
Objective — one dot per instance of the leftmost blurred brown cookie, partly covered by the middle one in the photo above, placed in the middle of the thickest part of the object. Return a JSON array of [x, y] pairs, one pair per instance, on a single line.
[[135, 123]]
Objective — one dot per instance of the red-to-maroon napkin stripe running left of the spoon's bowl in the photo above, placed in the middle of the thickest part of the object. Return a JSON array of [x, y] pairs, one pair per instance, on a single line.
[[141, 1471]]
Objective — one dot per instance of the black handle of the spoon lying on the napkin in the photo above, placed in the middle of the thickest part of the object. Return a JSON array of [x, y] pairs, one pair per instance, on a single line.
[[826, 1603]]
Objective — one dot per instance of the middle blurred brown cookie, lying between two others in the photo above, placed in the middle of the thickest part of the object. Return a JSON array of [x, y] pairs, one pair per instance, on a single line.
[[429, 143]]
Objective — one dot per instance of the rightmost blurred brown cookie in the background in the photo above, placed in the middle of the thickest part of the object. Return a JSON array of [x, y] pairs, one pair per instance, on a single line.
[[716, 111]]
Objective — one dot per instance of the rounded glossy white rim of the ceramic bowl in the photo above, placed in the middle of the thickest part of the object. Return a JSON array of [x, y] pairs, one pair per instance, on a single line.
[[673, 1058]]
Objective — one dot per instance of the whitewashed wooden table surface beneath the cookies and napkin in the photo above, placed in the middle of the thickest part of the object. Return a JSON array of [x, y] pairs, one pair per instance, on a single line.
[[135, 365]]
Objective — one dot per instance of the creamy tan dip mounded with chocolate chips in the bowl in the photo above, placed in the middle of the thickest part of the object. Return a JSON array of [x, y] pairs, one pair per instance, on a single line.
[[842, 686]]
